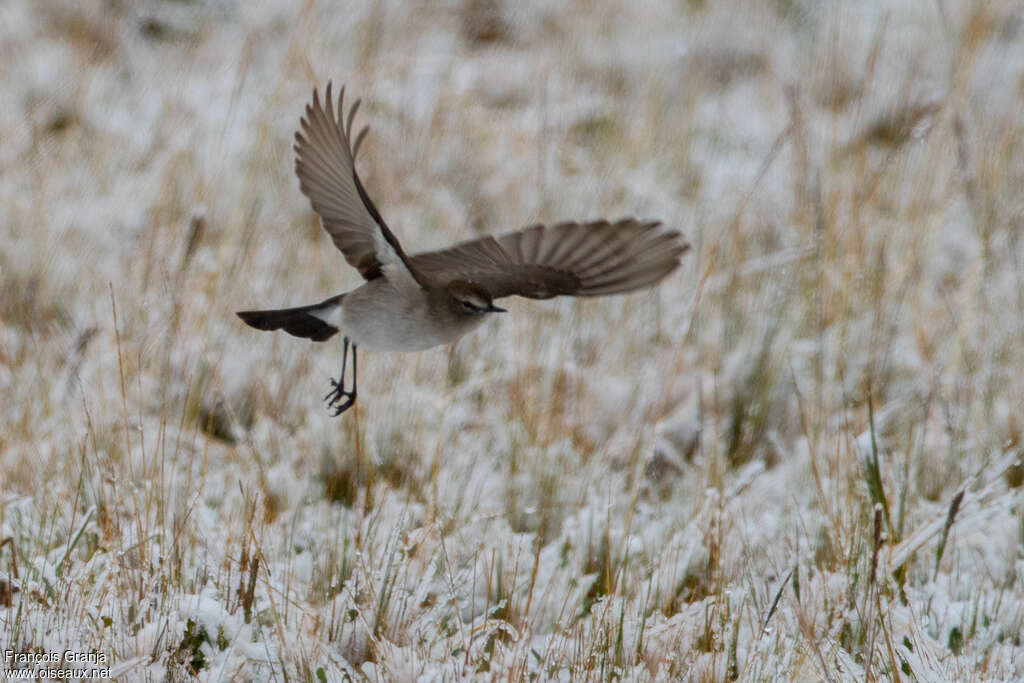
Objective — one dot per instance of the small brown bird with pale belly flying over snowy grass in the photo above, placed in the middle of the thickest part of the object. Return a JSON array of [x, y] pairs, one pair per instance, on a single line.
[[415, 303]]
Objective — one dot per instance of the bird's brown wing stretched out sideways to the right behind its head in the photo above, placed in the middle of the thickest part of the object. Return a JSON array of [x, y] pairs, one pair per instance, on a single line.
[[576, 260]]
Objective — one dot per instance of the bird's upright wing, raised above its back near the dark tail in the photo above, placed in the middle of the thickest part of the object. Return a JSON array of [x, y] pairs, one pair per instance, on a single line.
[[325, 162]]
